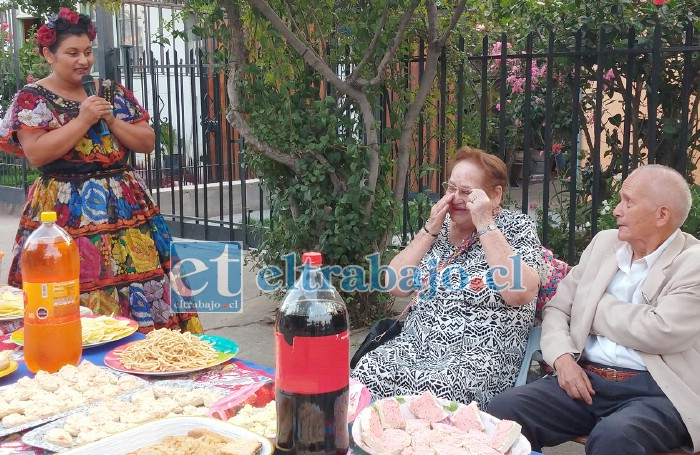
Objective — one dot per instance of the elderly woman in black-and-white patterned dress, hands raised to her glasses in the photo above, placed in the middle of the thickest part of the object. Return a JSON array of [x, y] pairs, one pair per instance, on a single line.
[[476, 276]]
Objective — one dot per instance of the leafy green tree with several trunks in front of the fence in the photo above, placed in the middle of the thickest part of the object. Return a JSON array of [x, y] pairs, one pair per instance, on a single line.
[[306, 85]]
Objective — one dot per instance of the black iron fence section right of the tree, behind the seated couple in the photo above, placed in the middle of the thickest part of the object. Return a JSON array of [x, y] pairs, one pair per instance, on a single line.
[[570, 121]]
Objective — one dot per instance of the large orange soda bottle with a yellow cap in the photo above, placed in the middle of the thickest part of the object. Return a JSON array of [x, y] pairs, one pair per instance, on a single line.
[[50, 267]]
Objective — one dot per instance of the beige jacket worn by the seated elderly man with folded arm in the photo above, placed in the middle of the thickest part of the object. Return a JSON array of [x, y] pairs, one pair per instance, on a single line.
[[666, 332]]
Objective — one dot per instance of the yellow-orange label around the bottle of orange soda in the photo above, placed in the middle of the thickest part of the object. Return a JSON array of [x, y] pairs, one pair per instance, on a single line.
[[43, 302]]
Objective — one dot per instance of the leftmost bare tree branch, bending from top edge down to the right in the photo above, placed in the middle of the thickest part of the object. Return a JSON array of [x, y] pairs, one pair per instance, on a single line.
[[239, 51]]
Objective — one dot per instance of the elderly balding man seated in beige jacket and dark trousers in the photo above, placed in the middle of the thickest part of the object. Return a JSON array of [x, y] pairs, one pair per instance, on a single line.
[[623, 333]]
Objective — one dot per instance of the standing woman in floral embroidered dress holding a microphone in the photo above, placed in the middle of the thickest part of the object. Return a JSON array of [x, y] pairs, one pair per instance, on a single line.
[[85, 178]]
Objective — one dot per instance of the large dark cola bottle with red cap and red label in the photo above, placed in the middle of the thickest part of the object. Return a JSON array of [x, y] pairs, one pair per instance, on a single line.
[[312, 368]]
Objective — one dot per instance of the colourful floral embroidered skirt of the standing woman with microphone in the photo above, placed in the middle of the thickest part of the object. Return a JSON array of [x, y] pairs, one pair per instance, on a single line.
[[124, 246]]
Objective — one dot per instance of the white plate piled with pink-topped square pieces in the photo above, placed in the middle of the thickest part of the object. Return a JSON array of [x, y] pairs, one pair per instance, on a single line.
[[425, 424]]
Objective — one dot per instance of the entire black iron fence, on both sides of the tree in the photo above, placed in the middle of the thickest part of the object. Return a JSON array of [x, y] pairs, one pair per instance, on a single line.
[[569, 121]]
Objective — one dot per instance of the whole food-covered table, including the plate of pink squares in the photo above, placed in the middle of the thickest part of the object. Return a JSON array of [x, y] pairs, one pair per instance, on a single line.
[[177, 393]]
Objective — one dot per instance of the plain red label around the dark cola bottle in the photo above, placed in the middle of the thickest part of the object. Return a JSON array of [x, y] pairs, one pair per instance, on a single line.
[[312, 365]]
